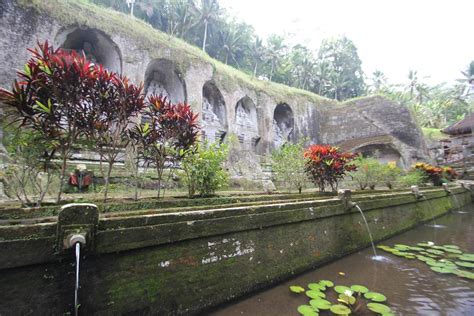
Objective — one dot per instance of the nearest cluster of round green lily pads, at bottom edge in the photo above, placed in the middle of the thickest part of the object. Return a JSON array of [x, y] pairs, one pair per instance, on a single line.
[[354, 299]]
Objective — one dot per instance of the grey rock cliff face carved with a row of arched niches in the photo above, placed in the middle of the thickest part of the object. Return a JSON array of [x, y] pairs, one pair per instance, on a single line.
[[262, 115]]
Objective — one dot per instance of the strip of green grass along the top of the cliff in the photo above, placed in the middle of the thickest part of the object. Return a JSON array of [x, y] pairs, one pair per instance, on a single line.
[[159, 44]]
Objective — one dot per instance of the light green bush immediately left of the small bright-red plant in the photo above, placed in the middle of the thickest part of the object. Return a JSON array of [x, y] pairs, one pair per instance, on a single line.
[[288, 164]]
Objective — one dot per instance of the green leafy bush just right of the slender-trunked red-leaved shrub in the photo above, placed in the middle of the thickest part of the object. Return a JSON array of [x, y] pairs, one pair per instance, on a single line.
[[203, 169]]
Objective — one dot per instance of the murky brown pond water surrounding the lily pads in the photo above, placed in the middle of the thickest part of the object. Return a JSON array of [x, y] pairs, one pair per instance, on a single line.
[[411, 287]]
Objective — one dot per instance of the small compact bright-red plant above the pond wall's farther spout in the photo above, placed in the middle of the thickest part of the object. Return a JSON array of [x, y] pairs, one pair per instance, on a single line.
[[326, 165]]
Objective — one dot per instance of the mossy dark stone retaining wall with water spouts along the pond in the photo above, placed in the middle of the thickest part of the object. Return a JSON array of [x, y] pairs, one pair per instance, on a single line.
[[183, 263]]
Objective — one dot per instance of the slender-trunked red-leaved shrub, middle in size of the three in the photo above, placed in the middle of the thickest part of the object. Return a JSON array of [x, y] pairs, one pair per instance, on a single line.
[[166, 134]]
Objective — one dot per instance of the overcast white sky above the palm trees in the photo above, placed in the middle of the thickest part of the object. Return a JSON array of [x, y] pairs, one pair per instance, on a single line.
[[434, 37]]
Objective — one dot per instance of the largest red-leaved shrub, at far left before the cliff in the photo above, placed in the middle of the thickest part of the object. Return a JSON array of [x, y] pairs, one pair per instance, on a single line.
[[64, 97]]
